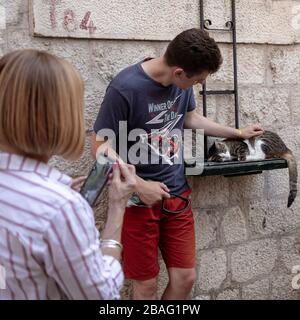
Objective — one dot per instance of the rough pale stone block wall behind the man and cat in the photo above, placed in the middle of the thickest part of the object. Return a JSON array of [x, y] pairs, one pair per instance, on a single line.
[[247, 241]]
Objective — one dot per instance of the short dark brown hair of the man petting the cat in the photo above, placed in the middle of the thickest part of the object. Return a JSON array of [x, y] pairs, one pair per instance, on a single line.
[[194, 51]]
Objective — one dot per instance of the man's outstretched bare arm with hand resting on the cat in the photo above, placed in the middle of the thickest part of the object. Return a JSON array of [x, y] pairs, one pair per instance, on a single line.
[[193, 120]]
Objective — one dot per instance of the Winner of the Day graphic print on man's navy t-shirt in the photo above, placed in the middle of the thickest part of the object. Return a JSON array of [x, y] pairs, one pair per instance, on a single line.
[[163, 142]]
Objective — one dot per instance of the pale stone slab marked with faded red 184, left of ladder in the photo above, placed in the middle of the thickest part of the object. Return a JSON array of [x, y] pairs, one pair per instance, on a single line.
[[114, 19]]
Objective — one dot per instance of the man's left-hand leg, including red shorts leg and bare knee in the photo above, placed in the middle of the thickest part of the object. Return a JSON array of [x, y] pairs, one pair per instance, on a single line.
[[140, 237]]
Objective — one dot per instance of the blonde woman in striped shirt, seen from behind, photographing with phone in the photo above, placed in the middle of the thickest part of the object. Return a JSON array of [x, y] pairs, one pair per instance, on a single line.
[[49, 246]]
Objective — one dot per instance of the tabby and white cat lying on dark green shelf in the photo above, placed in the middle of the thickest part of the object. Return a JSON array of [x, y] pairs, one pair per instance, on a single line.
[[266, 146]]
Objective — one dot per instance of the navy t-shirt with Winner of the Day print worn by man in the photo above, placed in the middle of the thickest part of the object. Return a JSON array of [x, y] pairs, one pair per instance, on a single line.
[[134, 97]]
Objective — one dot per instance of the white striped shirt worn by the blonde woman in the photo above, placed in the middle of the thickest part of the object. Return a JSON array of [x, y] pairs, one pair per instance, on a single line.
[[49, 245]]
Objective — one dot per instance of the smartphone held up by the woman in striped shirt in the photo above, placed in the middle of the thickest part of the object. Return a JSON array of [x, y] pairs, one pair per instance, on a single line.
[[97, 179]]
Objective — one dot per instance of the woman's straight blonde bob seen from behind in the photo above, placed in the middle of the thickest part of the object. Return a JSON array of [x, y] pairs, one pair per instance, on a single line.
[[41, 105]]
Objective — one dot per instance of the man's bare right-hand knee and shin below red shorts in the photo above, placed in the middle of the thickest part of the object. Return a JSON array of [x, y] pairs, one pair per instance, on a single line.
[[180, 284]]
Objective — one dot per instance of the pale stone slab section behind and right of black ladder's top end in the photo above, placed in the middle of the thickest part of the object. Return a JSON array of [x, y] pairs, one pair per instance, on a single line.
[[270, 21]]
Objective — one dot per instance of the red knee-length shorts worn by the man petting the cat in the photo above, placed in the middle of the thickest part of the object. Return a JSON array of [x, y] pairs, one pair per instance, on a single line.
[[146, 229]]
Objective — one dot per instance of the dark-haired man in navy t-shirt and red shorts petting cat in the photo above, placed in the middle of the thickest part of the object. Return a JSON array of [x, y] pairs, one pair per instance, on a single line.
[[157, 94]]
